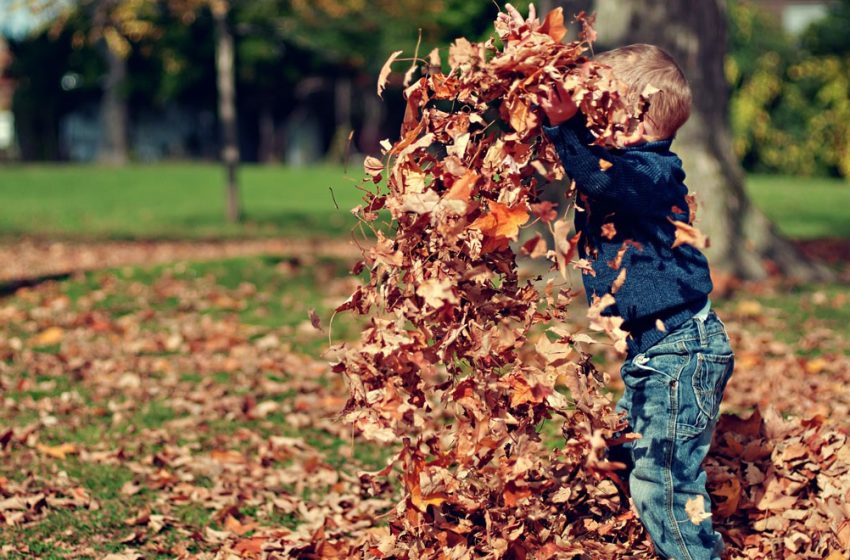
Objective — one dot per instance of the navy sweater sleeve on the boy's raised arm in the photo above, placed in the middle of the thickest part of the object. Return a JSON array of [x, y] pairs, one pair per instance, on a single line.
[[633, 182]]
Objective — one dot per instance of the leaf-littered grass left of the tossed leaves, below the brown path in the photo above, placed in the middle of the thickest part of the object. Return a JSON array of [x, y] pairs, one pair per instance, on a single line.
[[162, 409]]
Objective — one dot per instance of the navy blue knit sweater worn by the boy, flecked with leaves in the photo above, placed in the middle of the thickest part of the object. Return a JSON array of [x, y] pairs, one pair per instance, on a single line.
[[638, 195]]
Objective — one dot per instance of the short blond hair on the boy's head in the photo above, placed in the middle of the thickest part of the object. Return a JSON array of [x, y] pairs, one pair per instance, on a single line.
[[640, 65]]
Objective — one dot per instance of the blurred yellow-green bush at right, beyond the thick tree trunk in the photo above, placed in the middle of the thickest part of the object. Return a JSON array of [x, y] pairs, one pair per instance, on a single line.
[[790, 96]]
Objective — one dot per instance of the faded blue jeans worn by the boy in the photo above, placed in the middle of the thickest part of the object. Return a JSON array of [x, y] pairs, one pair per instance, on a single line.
[[672, 398]]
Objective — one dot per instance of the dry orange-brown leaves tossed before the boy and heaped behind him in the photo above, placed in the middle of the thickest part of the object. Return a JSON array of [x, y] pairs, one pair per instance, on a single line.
[[462, 362]]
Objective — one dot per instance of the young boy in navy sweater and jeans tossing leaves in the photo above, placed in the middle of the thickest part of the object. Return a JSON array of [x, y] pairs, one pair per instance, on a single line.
[[679, 358]]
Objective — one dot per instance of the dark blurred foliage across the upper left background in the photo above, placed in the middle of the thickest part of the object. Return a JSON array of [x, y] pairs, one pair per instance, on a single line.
[[286, 51]]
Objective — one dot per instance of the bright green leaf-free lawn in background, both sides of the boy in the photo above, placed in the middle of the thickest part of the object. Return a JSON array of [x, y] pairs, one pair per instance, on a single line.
[[187, 201]]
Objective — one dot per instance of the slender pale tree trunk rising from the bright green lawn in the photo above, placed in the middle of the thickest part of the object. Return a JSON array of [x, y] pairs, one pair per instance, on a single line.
[[225, 74]]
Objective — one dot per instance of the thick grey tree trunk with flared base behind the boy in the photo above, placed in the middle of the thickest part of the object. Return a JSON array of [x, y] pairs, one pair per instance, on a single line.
[[743, 242]]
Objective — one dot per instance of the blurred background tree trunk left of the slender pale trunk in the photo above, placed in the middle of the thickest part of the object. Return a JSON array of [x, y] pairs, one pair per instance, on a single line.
[[113, 109]]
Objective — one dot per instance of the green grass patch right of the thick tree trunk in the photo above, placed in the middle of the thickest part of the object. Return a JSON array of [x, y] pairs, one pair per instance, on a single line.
[[803, 207]]
